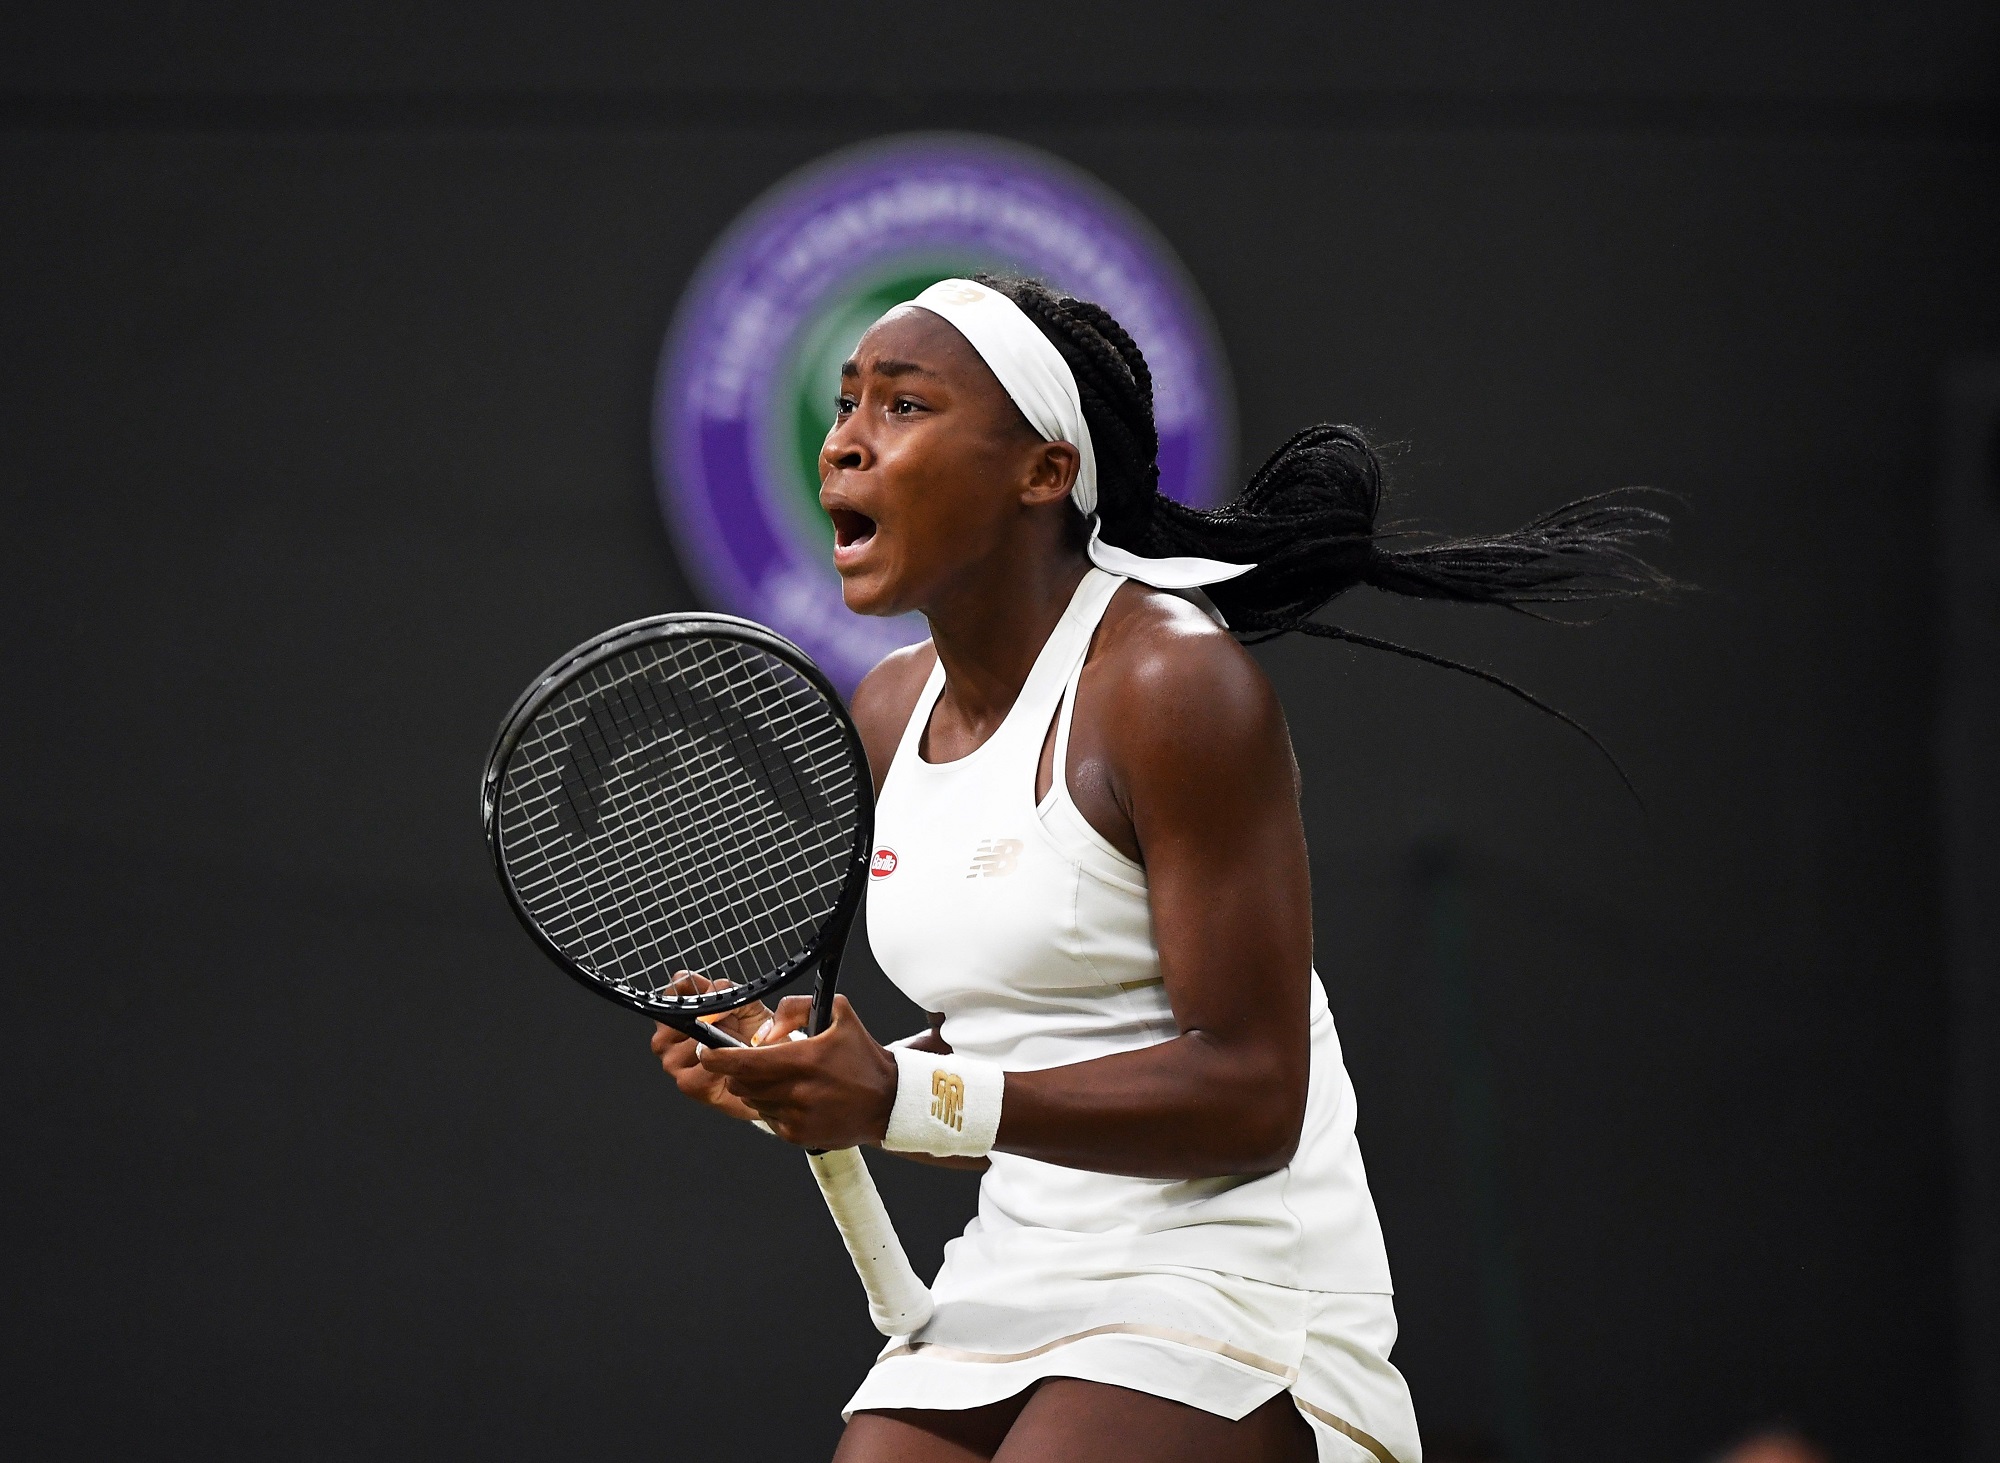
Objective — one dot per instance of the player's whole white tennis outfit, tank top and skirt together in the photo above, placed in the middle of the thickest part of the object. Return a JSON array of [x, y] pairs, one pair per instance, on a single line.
[[1033, 936]]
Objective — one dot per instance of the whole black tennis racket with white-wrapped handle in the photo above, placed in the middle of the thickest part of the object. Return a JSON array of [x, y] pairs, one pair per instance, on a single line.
[[689, 794]]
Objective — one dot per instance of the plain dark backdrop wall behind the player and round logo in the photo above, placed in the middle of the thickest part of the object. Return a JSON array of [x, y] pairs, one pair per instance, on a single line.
[[325, 425]]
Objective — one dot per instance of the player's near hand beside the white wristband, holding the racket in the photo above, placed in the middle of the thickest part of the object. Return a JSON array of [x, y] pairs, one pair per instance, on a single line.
[[825, 1092]]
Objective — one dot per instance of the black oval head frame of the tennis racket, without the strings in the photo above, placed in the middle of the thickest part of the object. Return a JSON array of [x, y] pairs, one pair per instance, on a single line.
[[825, 952]]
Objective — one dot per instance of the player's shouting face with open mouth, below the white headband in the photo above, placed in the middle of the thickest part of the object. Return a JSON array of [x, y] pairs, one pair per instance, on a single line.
[[929, 469]]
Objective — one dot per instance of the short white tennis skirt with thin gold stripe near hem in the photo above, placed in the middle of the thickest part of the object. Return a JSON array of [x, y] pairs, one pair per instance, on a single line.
[[1217, 1342]]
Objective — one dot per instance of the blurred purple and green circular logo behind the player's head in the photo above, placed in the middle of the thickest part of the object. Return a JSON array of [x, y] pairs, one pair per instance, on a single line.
[[753, 363]]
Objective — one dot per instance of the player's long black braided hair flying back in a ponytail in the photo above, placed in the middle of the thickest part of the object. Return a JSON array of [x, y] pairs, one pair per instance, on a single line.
[[1309, 515]]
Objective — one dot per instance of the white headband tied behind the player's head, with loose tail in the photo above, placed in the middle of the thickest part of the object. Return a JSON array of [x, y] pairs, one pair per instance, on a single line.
[[1043, 387]]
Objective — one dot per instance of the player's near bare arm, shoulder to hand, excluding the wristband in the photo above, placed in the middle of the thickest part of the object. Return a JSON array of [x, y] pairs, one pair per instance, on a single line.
[[1187, 762]]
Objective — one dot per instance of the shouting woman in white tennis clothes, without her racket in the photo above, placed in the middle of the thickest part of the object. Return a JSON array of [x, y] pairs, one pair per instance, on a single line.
[[1093, 874]]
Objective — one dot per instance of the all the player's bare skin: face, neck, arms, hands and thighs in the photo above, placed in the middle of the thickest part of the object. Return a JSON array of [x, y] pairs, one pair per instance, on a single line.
[[947, 503]]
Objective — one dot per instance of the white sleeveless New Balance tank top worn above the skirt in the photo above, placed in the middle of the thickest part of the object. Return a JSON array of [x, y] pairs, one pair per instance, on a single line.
[[1033, 936]]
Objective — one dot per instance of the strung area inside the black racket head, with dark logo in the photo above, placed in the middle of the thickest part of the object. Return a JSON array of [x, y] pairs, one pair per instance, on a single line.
[[685, 806]]
